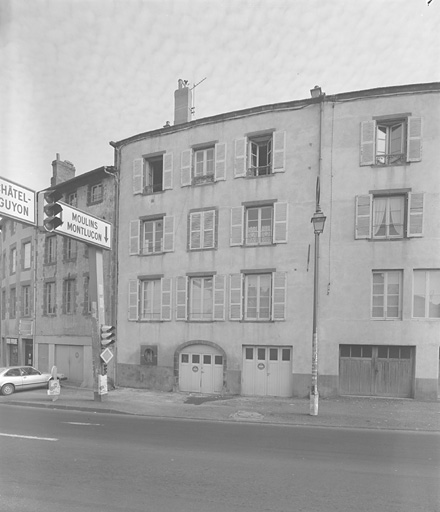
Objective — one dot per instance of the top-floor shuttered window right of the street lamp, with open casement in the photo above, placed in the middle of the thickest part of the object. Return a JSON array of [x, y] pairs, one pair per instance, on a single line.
[[391, 141]]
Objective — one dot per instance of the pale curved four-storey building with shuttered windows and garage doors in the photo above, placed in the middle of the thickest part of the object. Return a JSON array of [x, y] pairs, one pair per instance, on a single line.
[[215, 247]]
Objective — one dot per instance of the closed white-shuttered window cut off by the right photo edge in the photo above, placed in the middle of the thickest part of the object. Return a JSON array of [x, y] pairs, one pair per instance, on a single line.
[[426, 294]]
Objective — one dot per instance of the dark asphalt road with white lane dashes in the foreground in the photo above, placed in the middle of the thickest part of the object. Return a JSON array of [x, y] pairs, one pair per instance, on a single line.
[[71, 461]]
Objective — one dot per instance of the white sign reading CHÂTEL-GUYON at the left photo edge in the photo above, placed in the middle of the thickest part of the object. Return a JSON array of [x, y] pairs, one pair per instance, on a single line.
[[17, 202]]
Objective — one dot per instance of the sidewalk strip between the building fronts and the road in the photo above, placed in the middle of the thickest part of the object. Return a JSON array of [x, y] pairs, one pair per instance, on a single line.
[[350, 412]]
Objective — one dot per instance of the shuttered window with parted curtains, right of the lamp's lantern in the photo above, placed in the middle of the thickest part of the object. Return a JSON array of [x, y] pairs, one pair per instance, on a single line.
[[390, 215]]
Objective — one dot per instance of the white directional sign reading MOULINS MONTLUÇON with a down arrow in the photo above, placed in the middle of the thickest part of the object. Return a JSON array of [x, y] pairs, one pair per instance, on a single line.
[[85, 227]]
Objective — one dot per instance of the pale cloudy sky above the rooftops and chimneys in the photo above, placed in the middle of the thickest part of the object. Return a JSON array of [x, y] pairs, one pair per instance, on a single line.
[[77, 74]]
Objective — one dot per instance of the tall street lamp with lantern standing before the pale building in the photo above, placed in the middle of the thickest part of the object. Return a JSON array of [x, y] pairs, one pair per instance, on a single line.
[[318, 220]]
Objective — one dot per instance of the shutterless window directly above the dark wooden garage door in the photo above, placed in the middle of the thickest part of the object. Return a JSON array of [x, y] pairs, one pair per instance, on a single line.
[[387, 295]]
